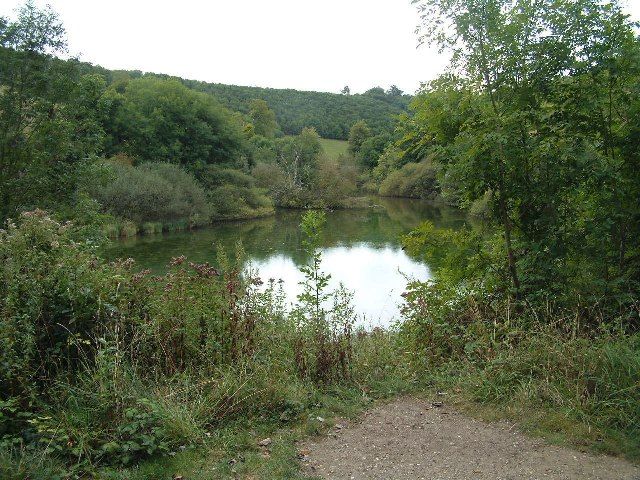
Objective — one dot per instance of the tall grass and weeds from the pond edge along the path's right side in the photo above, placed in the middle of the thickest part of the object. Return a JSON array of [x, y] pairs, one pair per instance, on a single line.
[[577, 382]]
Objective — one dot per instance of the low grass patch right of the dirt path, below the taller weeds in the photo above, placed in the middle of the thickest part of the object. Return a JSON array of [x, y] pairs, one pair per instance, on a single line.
[[539, 385]]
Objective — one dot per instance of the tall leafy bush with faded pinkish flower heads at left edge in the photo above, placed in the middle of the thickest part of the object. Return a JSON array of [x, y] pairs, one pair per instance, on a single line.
[[51, 289]]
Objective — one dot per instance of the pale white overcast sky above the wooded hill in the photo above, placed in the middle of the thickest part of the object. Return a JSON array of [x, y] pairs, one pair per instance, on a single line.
[[307, 45]]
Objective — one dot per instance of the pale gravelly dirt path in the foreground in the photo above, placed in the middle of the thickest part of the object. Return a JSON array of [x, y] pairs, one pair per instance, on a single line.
[[410, 439]]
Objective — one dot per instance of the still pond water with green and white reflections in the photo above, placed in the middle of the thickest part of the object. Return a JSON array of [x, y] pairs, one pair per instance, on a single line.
[[360, 248]]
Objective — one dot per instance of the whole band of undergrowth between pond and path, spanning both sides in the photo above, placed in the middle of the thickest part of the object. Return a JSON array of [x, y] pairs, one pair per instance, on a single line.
[[105, 367]]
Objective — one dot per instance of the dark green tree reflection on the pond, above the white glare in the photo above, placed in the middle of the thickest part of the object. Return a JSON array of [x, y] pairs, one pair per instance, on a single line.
[[378, 227]]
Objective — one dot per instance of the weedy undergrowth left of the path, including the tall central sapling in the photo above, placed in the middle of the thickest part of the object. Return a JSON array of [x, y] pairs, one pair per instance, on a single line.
[[105, 365]]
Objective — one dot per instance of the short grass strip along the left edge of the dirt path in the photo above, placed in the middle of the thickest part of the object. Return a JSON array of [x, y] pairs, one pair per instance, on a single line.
[[233, 451]]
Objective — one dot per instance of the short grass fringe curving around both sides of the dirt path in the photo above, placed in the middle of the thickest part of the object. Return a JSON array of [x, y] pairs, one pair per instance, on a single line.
[[234, 452]]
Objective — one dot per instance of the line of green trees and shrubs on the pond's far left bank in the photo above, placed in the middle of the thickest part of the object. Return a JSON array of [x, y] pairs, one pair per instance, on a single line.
[[125, 143]]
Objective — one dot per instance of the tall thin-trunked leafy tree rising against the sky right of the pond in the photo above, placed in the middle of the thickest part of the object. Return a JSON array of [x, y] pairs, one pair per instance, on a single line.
[[517, 53]]
